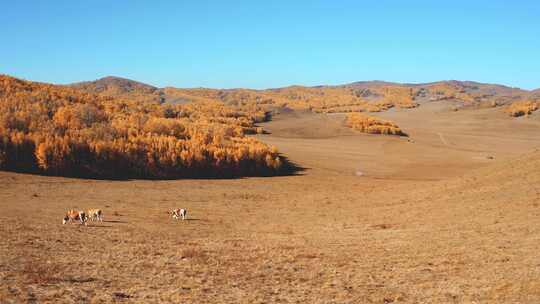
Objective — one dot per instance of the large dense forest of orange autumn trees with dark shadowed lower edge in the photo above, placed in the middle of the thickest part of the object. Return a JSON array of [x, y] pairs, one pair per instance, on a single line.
[[58, 130]]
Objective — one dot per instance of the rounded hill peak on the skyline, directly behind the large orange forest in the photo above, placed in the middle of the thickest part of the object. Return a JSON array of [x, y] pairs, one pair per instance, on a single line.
[[112, 85]]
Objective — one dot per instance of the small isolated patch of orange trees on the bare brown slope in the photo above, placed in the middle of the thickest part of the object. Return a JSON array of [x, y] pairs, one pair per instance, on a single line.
[[372, 125]]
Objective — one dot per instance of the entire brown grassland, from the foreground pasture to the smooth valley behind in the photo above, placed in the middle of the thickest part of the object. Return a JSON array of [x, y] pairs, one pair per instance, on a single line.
[[449, 215]]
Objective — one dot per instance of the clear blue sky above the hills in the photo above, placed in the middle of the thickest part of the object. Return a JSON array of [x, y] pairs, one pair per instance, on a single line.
[[261, 44]]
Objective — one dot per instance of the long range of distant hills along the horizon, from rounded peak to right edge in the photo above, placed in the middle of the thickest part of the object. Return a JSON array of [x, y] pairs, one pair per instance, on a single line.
[[370, 96]]
